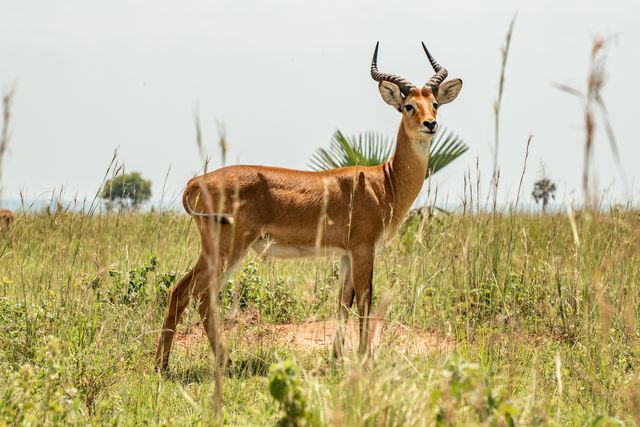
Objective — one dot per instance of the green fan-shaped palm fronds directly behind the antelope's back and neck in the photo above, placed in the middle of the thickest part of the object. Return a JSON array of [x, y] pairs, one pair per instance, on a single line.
[[370, 149]]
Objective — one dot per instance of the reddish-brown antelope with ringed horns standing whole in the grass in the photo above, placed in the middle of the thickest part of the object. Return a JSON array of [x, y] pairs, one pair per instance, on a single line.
[[278, 212]]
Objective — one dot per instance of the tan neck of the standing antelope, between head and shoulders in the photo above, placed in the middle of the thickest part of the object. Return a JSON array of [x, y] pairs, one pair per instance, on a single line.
[[405, 173]]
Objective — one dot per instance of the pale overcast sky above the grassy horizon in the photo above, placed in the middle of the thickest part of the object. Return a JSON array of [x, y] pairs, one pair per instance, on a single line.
[[283, 75]]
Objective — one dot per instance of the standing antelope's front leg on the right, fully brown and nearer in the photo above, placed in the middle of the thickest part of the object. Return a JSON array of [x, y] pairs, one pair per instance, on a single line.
[[362, 271]]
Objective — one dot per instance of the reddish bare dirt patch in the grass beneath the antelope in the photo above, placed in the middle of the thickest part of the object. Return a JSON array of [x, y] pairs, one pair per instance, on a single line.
[[319, 335]]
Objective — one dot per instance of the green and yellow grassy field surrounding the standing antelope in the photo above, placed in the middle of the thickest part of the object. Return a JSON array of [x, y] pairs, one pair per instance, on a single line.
[[498, 319]]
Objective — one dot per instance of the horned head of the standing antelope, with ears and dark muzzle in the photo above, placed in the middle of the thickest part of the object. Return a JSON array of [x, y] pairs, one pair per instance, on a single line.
[[419, 106]]
